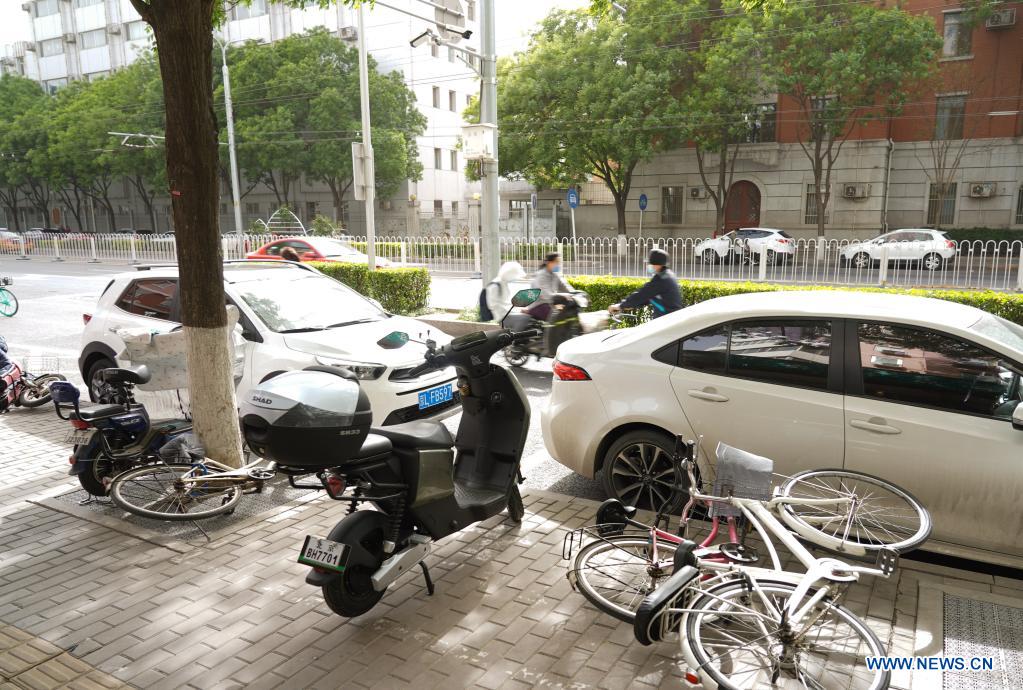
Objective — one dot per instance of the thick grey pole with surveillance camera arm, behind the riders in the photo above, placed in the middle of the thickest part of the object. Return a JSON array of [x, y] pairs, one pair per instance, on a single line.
[[488, 116]]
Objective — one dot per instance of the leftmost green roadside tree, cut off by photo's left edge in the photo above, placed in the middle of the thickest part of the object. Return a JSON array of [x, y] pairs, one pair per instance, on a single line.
[[19, 98]]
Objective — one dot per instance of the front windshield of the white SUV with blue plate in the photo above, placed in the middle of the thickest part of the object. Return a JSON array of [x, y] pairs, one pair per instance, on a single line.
[[308, 303]]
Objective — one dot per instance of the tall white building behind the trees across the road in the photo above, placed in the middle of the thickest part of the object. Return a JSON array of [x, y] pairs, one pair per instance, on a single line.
[[88, 39]]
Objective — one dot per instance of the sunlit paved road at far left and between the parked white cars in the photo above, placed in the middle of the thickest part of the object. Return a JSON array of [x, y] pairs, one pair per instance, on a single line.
[[49, 325]]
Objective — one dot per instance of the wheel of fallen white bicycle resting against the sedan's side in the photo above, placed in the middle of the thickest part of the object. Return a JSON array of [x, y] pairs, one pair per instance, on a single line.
[[885, 516]]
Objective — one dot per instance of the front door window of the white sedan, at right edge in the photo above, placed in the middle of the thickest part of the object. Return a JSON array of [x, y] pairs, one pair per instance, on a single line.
[[924, 368]]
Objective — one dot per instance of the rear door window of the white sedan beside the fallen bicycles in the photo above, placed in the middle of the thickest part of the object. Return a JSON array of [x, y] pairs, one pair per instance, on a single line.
[[794, 354]]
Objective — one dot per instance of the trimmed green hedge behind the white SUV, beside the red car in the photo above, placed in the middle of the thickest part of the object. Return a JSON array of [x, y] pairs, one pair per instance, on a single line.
[[402, 291]]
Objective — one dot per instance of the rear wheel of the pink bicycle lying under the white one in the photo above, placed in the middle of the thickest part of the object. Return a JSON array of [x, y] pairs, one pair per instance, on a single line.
[[616, 574]]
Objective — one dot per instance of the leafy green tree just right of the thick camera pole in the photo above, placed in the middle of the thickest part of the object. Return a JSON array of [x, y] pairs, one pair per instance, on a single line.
[[580, 105]]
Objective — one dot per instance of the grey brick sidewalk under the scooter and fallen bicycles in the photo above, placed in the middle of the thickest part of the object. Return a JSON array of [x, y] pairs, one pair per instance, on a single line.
[[237, 613]]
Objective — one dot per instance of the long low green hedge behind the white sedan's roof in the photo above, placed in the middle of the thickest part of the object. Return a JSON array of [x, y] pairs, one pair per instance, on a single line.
[[605, 291]]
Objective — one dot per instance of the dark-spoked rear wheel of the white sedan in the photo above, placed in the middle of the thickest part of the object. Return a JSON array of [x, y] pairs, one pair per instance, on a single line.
[[638, 470]]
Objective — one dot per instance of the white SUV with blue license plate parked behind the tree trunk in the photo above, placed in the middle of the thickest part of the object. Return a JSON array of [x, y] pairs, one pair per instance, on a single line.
[[292, 317]]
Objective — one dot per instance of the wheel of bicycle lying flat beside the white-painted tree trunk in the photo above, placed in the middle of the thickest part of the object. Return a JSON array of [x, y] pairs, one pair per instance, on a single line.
[[159, 492]]
